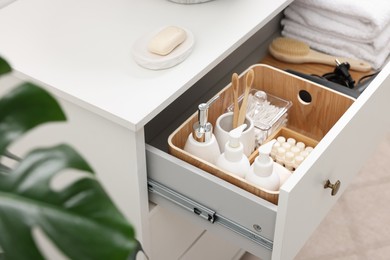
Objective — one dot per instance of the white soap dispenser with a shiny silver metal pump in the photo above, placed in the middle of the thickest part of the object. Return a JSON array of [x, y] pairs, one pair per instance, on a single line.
[[202, 142]]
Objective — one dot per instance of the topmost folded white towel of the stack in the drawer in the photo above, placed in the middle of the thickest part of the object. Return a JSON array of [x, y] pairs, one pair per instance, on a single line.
[[371, 14]]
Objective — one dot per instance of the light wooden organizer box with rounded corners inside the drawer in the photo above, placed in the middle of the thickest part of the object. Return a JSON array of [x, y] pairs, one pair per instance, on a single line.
[[308, 120]]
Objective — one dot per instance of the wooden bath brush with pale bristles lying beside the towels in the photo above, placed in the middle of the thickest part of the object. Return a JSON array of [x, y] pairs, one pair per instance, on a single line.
[[295, 51]]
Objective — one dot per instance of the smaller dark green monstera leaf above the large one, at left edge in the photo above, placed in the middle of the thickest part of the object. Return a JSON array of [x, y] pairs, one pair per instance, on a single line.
[[24, 108]]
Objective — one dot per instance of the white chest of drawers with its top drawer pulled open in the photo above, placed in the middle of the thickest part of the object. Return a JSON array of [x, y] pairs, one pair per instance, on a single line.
[[81, 51]]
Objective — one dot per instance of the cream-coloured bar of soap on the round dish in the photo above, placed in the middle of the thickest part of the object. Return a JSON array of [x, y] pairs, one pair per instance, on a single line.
[[166, 40]]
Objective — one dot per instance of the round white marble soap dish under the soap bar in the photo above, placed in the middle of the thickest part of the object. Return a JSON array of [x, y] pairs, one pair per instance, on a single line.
[[149, 60]]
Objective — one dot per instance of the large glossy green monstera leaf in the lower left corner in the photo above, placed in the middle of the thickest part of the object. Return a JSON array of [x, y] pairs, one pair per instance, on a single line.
[[80, 219]]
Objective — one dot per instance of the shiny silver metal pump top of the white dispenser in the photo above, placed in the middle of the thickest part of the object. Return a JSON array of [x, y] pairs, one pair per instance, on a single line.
[[202, 130]]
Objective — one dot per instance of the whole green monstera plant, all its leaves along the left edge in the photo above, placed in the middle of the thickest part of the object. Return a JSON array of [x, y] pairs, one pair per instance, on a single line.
[[80, 219]]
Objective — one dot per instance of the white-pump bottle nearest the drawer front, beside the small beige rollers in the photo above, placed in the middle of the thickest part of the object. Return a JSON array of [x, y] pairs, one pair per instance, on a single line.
[[264, 172]]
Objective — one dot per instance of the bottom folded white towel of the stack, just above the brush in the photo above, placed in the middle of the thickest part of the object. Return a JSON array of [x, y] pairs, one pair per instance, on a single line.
[[325, 42]]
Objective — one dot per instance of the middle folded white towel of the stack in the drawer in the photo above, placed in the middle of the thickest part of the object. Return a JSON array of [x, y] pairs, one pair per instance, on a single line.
[[339, 26]]
